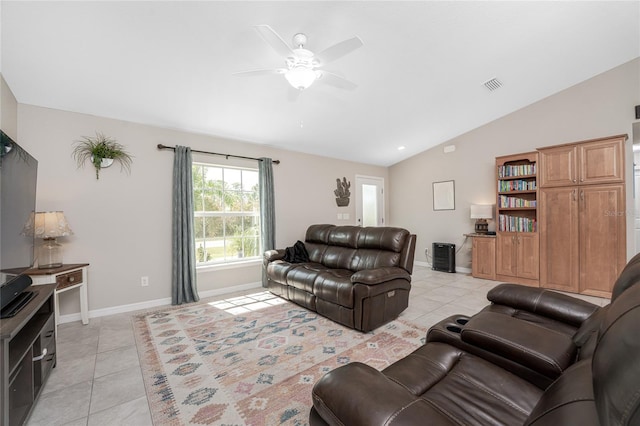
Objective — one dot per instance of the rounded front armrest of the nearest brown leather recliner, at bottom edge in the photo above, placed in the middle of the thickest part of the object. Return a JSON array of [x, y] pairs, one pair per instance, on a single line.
[[381, 402]]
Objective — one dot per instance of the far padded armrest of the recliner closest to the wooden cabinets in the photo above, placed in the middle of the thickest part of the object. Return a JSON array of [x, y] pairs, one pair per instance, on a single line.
[[561, 307]]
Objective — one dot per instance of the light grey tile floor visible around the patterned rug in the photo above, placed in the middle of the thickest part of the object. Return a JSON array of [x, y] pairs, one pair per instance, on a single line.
[[98, 380]]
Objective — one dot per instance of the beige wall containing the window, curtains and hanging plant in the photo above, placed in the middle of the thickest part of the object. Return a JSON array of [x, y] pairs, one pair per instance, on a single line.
[[122, 223]]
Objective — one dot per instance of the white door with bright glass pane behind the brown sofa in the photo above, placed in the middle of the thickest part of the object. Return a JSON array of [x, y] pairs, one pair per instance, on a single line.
[[369, 201]]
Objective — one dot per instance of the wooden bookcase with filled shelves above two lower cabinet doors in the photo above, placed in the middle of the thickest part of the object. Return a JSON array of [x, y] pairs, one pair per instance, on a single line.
[[517, 242]]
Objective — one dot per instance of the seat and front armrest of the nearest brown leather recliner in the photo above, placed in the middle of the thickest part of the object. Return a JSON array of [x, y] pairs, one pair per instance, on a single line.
[[436, 384]]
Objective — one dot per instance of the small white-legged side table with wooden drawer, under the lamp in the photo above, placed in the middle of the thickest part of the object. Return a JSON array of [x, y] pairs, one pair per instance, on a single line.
[[68, 277]]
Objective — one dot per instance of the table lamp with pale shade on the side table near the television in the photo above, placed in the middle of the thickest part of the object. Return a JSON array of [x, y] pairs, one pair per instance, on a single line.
[[49, 226]]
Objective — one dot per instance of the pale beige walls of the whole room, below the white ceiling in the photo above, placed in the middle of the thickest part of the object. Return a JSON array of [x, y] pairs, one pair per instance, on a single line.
[[122, 223]]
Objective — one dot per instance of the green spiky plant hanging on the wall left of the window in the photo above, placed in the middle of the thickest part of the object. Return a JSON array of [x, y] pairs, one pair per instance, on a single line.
[[102, 151]]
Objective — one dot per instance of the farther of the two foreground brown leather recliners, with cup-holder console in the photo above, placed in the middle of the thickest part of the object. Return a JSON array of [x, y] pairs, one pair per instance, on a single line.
[[532, 332]]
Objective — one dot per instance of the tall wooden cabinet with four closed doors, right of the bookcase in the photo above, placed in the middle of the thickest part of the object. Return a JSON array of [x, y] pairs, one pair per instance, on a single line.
[[582, 216]]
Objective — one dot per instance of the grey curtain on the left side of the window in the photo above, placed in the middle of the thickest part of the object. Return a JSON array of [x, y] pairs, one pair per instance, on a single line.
[[183, 280]]
